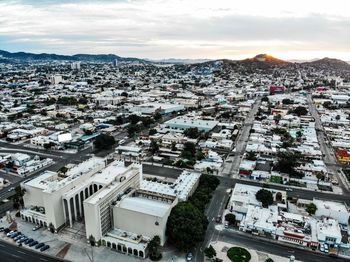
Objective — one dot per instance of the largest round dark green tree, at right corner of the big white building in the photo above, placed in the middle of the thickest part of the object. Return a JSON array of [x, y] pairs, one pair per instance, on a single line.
[[186, 226]]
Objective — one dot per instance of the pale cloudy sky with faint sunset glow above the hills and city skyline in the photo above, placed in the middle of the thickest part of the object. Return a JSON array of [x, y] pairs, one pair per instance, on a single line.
[[156, 29]]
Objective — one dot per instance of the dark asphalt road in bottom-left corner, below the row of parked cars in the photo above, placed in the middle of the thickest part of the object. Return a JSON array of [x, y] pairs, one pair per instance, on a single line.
[[12, 253]]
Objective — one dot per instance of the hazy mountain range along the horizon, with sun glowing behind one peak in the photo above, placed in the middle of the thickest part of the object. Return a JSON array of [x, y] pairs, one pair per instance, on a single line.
[[261, 60]]
